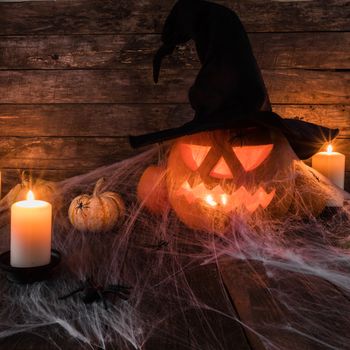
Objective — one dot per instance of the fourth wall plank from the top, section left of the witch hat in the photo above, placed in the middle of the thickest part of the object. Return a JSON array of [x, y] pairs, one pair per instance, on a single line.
[[108, 120]]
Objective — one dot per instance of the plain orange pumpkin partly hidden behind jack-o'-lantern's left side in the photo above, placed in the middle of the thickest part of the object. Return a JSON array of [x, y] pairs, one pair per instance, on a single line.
[[152, 191]]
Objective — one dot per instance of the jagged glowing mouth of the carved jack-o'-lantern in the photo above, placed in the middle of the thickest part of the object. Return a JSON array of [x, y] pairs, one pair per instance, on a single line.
[[217, 198]]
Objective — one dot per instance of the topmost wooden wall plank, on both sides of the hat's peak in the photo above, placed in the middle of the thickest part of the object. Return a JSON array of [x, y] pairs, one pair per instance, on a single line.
[[147, 16]]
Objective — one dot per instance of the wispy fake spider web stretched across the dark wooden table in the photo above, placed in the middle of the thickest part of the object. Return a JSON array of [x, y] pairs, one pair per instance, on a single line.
[[299, 265]]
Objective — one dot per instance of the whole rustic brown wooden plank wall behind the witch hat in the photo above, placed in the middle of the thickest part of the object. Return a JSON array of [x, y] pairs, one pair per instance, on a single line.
[[76, 77]]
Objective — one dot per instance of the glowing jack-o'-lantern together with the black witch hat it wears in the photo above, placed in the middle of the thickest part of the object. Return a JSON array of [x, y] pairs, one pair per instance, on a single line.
[[241, 170]]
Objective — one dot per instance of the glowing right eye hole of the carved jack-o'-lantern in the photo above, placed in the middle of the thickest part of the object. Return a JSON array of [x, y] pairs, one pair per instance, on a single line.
[[252, 156]]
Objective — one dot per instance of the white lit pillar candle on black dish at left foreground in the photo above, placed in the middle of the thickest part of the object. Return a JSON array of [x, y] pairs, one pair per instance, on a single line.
[[31, 222]]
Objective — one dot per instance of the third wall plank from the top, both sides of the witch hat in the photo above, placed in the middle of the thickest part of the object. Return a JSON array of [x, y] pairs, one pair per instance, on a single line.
[[136, 86]]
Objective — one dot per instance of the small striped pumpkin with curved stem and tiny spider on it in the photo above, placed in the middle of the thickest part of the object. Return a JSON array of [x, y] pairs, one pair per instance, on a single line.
[[98, 212]]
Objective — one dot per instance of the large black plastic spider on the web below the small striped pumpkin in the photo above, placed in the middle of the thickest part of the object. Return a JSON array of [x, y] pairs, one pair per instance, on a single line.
[[92, 292]]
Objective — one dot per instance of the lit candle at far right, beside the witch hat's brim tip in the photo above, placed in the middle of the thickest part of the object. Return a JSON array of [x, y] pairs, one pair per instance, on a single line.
[[330, 164]]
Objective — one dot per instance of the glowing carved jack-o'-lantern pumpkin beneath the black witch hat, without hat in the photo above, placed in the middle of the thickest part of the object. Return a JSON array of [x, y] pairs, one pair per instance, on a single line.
[[212, 175]]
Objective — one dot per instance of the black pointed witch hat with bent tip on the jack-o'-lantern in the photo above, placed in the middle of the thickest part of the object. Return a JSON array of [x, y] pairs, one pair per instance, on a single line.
[[229, 91]]
